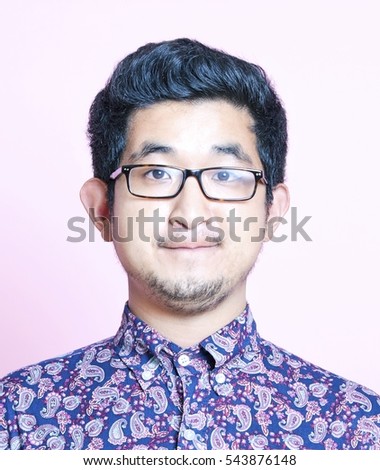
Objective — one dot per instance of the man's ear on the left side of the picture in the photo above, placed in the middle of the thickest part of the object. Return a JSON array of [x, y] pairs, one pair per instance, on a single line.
[[93, 195]]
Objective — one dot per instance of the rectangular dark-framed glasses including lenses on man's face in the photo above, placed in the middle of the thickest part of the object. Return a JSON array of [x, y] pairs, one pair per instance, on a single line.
[[218, 183]]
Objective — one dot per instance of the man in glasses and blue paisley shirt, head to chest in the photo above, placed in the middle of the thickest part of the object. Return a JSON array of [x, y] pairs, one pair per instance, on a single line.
[[189, 149]]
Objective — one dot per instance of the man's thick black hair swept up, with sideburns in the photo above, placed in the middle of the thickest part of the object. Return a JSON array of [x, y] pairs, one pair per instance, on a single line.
[[185, 70]]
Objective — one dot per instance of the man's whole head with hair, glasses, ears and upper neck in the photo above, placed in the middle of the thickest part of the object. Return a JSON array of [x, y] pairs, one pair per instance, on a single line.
[[181, 104]]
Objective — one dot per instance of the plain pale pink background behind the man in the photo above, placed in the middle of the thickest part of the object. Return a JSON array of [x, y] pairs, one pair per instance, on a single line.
[[317, 299]]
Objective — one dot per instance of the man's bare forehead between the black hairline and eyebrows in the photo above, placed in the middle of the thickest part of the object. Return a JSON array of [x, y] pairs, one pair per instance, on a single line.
[[190, 127]]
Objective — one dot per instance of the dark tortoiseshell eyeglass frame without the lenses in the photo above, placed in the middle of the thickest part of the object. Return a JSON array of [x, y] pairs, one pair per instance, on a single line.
[[126, 169]]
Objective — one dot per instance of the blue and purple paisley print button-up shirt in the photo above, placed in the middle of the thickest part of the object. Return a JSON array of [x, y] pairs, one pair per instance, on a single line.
[[137, 390]]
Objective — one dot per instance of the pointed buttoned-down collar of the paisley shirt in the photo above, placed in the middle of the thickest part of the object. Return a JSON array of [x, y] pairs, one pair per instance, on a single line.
[[146, 352]]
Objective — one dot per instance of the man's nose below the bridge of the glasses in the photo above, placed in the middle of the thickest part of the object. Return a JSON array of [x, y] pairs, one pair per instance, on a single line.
[[191, 207]]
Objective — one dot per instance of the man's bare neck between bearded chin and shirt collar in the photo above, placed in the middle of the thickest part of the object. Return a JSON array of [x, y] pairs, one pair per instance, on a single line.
[[181, 328]]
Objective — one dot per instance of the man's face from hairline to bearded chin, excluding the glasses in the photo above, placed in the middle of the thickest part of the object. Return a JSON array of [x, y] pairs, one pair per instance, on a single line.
[[207, 265]]
